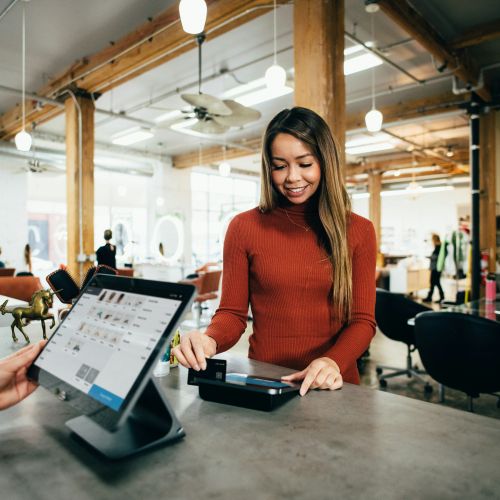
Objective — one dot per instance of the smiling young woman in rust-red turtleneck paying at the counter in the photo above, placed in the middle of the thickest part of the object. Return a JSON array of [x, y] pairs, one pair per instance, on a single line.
[[302, 259]]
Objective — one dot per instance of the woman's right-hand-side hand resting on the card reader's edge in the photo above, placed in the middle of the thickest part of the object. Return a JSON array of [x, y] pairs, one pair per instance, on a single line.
[[322, 373]]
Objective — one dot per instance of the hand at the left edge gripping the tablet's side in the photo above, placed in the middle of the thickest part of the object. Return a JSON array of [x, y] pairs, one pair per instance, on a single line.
[[14, 385]]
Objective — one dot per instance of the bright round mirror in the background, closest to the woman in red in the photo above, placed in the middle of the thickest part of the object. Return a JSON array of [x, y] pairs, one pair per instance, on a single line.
[[168, 239]]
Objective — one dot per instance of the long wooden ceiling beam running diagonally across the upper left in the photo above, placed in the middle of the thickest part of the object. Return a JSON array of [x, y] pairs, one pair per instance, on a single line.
[[157, 41]]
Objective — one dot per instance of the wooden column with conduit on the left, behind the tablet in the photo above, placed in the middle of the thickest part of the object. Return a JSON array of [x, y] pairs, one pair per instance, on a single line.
[[80, 179]]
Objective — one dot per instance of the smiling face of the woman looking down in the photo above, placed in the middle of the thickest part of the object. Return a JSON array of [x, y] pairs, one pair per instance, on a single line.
[[295, 171]]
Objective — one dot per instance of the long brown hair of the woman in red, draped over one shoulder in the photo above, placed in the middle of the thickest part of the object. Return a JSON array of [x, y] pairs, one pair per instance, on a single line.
[[334, 205]]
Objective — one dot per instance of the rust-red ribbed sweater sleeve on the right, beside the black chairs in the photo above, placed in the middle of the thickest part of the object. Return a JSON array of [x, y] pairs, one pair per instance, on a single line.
[[355, 338]]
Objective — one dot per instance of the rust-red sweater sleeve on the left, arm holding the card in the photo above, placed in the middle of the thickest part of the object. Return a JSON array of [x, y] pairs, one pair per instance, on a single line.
[[230, 319]]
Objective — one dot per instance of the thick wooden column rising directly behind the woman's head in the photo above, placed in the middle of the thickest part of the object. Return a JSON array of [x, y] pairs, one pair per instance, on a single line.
[[319, 62]]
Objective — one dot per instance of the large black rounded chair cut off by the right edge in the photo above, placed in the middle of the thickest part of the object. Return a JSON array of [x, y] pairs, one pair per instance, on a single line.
[[460, 351]]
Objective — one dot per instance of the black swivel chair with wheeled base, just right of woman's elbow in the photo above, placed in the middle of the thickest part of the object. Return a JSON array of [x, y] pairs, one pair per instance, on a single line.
[[392, 312]]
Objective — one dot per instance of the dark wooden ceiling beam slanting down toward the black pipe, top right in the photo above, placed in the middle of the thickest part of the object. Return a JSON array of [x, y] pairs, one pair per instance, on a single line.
[[407, 18]]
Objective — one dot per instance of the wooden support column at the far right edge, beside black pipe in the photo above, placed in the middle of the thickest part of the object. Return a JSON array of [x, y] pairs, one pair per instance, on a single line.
[[487, 185]]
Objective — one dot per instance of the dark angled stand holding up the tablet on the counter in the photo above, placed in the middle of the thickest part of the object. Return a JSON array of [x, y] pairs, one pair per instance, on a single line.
[[151, 422]]
